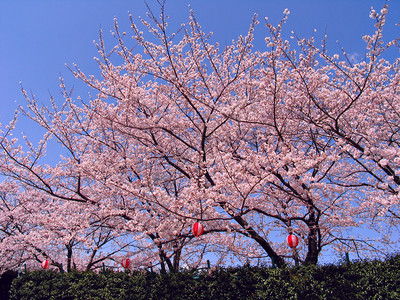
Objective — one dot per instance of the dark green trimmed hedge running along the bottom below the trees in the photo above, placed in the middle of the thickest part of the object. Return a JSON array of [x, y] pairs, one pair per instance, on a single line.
[[359, 280]]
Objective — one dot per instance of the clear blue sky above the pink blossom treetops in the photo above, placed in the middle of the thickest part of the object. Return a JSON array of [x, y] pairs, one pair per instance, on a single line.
[[37, 38]]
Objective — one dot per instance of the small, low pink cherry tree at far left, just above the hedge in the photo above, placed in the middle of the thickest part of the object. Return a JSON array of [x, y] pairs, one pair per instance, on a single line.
[[35, 228]]
